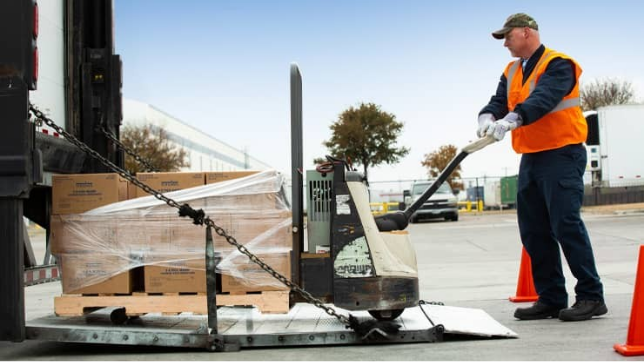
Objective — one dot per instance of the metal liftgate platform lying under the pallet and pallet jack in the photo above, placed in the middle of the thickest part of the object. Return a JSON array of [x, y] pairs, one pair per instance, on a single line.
[[247, 327]]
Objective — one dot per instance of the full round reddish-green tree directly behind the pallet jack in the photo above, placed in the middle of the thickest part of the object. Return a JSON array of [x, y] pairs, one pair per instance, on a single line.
[[367, 135]]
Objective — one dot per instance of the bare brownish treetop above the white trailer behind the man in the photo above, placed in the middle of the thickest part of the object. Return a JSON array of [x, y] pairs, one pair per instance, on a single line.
[[605, 92]]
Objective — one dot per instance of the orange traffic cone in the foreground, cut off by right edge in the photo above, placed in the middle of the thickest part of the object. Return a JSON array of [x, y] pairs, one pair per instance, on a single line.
[[635, 339]]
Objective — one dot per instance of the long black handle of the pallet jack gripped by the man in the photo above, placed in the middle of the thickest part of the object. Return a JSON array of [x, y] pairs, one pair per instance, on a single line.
[[400, 219]]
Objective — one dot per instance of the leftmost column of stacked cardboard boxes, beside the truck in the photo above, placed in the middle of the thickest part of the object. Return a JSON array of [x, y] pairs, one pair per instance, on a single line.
[[85, 267]]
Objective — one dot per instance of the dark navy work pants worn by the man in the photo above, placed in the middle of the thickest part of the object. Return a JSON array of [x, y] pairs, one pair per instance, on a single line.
[[550, 191]]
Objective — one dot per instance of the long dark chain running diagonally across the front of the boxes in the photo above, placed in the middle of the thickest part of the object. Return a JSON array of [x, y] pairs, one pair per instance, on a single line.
[[197, 215]]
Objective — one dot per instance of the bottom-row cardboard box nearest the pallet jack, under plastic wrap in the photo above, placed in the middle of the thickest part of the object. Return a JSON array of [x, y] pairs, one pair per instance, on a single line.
[[252, 277]]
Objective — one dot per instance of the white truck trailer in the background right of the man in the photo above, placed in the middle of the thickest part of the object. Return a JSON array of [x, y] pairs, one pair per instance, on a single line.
[[614, 135]]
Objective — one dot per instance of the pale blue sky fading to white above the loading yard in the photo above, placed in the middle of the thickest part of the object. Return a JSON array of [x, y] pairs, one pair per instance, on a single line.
[[223, 66]]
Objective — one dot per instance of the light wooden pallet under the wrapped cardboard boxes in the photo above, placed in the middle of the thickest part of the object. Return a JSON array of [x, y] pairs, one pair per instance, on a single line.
[[169, 303]]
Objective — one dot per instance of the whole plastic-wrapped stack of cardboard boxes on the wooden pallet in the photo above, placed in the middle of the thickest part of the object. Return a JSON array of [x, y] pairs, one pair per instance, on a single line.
[[151, 249]]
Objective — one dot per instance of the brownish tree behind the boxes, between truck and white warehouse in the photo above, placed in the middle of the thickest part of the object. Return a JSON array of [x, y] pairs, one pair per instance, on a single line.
[[153, 145]]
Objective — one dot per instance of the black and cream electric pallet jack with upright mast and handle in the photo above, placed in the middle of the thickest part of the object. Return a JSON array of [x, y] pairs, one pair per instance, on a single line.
[[372, 263]]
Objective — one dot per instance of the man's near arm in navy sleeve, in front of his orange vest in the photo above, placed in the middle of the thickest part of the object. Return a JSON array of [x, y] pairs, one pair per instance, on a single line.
[[556, 82]]
